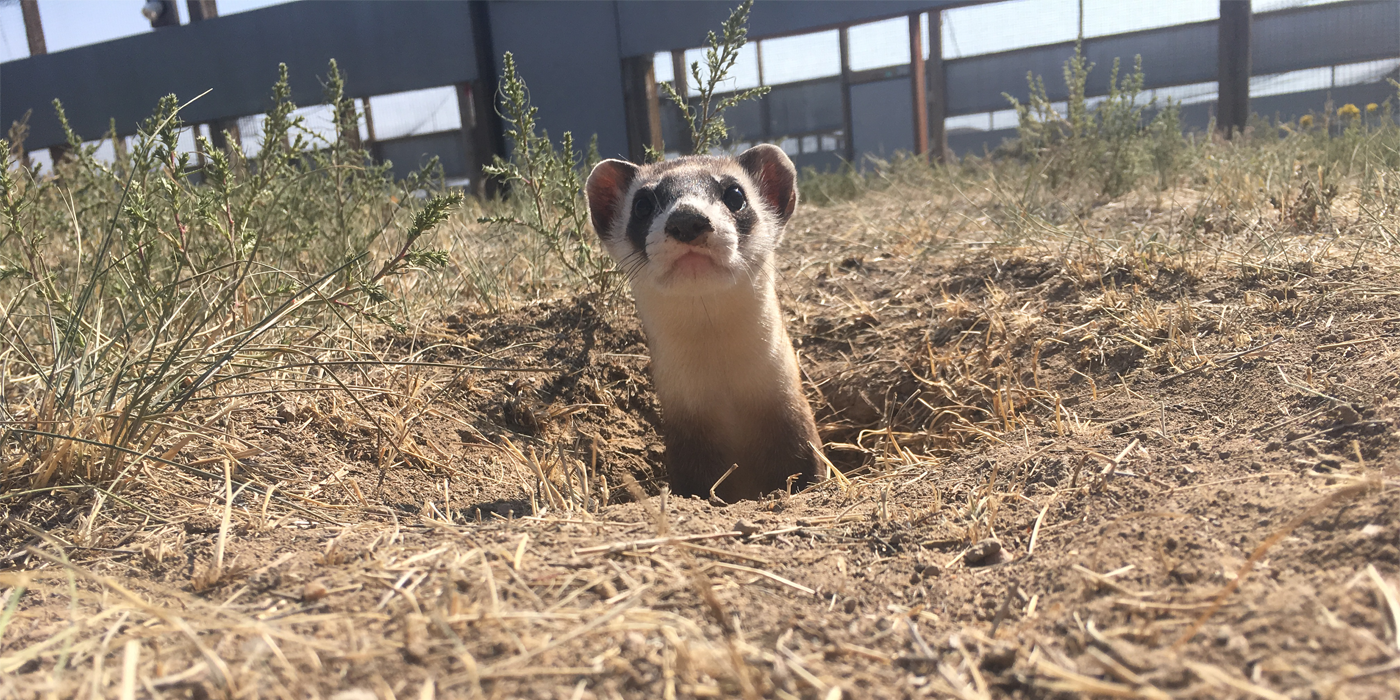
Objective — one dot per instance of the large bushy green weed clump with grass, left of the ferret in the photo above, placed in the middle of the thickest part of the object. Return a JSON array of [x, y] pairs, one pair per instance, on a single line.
[[135, 289]]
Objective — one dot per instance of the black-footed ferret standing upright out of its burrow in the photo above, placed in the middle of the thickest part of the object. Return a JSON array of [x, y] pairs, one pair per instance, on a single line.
[[696, 239]]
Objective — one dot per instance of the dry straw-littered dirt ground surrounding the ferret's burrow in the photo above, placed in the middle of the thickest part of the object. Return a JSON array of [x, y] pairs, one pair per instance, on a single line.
[[1136, 479]]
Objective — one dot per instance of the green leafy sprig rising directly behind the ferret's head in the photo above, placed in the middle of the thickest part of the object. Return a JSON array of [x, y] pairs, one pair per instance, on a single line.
[[705, 117]]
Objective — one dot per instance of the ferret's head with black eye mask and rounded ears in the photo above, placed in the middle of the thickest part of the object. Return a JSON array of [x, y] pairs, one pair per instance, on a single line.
[[694, 226]]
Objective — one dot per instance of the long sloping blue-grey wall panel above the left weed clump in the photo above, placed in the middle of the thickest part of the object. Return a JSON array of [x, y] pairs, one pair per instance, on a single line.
[[381, 48]]
